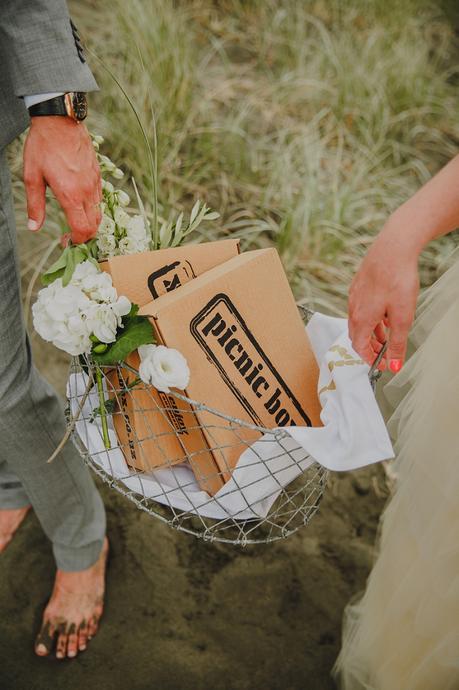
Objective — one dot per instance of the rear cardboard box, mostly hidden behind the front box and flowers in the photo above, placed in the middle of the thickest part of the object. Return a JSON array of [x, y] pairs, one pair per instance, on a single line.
[[153, 429]]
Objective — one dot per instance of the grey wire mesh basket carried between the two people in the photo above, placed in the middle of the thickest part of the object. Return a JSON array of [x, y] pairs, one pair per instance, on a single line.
[[182, 474]]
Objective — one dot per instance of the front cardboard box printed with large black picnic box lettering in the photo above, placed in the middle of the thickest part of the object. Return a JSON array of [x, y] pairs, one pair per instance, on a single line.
[[247, 349]]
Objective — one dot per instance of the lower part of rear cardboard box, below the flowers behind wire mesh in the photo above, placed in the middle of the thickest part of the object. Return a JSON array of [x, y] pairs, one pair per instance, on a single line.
[[155, 430]]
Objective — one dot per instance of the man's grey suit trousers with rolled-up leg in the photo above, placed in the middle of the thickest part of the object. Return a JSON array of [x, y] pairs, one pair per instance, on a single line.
[[32, 424]]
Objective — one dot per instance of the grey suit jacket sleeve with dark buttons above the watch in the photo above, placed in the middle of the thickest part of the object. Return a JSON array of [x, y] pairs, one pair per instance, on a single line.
[[40, 52]]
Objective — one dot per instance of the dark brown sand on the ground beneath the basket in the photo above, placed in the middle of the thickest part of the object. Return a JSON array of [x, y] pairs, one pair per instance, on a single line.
[[186, 615]]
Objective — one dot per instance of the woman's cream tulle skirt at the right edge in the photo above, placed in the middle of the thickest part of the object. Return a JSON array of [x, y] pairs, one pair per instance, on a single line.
[[403, 633]]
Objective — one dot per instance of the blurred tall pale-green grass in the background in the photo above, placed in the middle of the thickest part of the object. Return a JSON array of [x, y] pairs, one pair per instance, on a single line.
[[303, 122]]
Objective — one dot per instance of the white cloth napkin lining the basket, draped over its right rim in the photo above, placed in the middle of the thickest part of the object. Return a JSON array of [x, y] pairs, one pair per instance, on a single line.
[[353, 435]]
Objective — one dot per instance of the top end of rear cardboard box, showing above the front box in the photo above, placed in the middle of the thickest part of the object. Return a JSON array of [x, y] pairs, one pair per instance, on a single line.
[[146, 276]]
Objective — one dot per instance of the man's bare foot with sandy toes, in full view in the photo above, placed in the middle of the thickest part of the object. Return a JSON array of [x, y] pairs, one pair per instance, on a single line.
[[74, 610]]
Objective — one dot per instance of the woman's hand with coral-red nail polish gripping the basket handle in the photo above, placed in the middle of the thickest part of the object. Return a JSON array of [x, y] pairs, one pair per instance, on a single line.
[[383, 296]]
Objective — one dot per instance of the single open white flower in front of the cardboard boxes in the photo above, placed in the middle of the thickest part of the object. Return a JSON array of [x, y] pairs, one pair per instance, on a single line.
[[163, 367]]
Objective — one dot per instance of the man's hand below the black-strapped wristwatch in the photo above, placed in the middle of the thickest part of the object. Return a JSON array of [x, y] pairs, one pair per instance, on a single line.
[[58, 153]]
